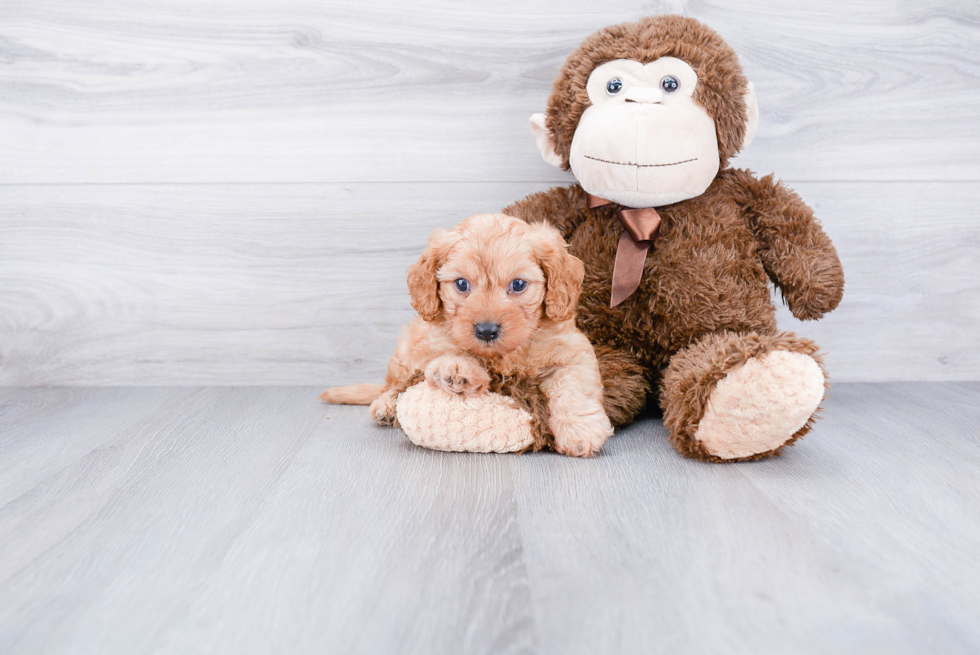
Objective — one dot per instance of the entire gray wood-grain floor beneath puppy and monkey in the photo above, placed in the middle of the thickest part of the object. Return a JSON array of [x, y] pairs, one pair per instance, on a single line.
[[256, 520]]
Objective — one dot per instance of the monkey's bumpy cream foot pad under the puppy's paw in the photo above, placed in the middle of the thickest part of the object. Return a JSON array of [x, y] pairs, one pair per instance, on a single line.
[[490, 423]]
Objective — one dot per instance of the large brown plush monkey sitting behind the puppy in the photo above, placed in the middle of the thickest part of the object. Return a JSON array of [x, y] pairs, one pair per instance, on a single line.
[[679, 249]]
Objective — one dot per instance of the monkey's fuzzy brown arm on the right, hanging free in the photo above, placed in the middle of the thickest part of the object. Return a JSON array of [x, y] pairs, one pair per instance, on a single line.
[[798, 256]]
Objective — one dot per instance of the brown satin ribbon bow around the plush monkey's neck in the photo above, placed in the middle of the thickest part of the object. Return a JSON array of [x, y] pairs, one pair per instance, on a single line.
[[642, 227]]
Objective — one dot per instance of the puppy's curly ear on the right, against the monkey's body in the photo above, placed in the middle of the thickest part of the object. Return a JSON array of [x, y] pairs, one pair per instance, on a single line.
[[563, 272]]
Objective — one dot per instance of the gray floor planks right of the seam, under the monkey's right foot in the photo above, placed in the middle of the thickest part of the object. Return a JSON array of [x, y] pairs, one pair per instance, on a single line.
[[858, 540]]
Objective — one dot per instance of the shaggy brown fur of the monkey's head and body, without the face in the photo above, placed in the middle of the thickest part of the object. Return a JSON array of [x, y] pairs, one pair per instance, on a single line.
[[710, 270]]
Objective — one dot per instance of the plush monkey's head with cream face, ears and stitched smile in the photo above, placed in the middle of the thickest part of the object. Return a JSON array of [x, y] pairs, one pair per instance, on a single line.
[[645, 114]]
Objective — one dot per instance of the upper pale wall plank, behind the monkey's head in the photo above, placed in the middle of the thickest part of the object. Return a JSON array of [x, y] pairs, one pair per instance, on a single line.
[[344, 91]]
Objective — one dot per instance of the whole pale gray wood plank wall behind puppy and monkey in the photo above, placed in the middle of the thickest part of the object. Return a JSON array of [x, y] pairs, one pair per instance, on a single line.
[[229, 192]]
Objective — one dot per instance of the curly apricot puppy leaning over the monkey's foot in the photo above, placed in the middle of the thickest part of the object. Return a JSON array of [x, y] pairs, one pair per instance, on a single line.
[[496, 300]]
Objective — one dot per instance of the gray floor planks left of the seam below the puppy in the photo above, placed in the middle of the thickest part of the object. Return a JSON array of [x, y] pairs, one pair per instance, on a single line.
[[217, 521]]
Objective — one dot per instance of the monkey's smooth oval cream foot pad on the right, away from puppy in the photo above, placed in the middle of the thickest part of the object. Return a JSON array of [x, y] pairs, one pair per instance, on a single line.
[[758, 407]]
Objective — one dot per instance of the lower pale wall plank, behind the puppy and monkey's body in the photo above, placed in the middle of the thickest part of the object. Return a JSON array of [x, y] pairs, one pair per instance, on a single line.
[[305, 284]]
